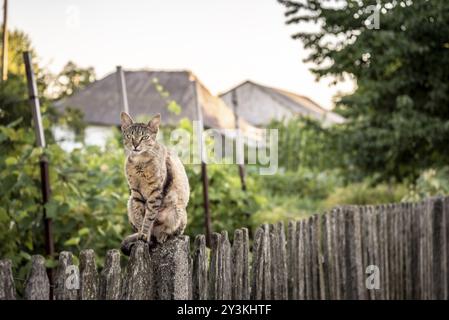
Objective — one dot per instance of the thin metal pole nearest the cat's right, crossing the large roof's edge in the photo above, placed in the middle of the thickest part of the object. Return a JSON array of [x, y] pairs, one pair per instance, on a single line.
[[204, 177]]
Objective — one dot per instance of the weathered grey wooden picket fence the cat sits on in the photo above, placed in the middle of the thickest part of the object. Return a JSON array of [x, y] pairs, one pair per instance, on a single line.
[[394, 251]]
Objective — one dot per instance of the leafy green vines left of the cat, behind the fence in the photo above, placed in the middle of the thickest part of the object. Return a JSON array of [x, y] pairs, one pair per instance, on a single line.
[[88, 201]]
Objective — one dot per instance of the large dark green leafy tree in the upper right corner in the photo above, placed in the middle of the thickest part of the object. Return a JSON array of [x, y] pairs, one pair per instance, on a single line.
[[398, 117]]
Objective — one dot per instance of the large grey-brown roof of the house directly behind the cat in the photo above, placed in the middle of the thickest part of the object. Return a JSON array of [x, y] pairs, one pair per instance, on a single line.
[[100, 102]]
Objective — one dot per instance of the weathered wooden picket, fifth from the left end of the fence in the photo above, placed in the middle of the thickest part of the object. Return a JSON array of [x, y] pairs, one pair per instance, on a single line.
[[111, 277]]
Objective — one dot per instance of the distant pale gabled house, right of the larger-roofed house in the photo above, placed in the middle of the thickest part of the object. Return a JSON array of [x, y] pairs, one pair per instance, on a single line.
[[259, 104]]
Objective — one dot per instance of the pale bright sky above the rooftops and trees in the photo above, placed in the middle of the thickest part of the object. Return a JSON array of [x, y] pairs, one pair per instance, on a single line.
[[223, 42]]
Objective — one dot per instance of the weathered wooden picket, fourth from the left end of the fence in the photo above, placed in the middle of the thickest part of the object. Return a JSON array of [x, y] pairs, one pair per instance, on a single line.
[[88, 276]]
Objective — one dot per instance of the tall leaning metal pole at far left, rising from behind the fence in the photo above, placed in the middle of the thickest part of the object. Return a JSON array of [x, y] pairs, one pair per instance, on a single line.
[[40, 139]]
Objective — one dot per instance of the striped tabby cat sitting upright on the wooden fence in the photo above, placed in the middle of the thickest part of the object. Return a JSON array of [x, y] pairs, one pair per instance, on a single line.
[[158, 183]]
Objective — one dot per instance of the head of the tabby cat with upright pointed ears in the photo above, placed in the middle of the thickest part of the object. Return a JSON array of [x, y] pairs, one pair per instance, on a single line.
[[139, 137]]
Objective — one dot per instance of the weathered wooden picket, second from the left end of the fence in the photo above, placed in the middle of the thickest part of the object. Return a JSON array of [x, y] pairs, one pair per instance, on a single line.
[[37, 285]]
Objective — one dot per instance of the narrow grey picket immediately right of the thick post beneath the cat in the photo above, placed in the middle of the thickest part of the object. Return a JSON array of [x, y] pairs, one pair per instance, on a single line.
[[199, 269]]
